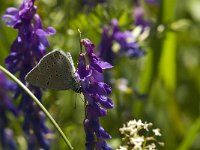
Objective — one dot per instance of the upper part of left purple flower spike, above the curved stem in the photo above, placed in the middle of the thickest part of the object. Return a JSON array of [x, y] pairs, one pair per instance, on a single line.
[[31, 43]]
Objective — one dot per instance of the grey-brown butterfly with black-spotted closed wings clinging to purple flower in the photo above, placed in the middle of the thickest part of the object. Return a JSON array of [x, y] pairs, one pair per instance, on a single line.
[[55, 71]]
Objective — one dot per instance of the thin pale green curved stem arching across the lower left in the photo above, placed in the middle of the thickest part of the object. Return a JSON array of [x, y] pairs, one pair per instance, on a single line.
[[39, 104]]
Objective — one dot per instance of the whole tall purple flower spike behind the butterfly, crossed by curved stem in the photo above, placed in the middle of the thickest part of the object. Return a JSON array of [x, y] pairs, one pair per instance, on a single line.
[[27, 49]]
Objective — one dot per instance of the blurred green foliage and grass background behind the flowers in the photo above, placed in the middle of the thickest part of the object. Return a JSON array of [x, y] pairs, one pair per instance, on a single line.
[[168, 76]]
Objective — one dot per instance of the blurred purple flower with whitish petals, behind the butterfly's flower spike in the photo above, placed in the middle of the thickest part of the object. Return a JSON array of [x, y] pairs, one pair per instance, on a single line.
[[127, 44]]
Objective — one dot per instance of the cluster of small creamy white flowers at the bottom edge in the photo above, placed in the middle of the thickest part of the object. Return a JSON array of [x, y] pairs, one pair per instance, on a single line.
[[138, 136]]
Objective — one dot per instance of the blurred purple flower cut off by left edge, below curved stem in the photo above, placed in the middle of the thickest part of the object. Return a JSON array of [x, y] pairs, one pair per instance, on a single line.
[[6, 105]]
